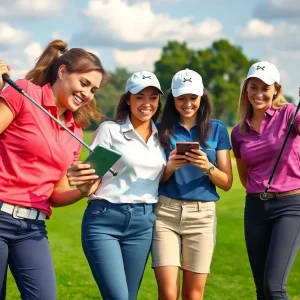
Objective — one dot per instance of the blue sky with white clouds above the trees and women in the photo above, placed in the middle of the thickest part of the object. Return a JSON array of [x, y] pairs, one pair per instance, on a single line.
[[131, 33]]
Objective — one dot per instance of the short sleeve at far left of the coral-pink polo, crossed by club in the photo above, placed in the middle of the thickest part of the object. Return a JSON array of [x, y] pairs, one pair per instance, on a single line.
[[13, 98]]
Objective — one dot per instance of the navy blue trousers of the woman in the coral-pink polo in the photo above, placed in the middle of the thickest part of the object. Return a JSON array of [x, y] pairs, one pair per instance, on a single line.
[[24, 247]]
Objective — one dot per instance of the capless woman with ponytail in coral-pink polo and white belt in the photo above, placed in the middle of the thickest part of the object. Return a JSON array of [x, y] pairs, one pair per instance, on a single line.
[[34, 156]]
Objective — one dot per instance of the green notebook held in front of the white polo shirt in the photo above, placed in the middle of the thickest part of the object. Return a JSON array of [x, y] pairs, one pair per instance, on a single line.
[[102, 159]]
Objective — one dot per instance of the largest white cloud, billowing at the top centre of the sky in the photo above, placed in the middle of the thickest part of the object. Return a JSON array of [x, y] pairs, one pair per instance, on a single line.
[[116, 23]]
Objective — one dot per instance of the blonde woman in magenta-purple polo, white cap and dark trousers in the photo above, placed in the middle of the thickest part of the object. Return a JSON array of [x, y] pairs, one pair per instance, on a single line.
[[272, 223]]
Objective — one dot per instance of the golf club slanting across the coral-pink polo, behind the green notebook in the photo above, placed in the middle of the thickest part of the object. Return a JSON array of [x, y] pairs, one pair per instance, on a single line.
[[20, 90]]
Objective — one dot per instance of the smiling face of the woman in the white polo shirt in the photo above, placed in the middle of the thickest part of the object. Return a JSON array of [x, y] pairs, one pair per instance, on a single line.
[[143, 105]]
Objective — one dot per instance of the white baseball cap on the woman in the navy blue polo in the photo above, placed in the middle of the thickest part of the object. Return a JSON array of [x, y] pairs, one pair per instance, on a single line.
[[187, 82]]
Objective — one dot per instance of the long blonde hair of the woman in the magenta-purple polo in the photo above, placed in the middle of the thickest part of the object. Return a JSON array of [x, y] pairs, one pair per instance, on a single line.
[[245, 108]]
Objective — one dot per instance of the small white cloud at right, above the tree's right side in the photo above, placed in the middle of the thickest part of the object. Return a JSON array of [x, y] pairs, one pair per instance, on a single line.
[[256, 29]]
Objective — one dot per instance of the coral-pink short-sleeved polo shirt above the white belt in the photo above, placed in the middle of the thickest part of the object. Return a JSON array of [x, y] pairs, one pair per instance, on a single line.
[[35, 152]]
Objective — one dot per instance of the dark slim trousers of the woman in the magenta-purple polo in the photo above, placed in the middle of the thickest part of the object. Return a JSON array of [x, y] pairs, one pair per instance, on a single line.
[[272, 232]]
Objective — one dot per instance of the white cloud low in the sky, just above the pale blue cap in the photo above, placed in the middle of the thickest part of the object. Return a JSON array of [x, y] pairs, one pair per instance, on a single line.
[[139, 59]]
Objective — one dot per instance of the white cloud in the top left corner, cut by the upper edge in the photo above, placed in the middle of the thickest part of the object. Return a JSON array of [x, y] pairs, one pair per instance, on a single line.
[[30, 8]]
